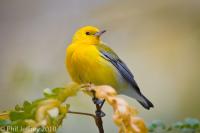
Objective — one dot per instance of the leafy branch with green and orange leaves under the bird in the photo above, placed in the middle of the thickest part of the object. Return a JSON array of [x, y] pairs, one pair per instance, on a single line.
[[49, 111]]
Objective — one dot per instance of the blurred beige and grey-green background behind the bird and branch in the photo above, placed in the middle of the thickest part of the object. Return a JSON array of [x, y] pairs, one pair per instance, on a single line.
[[158, 40]]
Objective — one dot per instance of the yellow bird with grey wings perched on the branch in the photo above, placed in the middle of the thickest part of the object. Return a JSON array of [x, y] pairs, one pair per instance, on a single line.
[[89, 60]]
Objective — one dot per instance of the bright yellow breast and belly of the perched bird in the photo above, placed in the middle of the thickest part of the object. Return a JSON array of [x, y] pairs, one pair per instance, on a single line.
[[86, 65]]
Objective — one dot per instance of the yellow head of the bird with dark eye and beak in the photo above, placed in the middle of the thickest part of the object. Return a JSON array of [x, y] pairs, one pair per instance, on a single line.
[[88, 35]]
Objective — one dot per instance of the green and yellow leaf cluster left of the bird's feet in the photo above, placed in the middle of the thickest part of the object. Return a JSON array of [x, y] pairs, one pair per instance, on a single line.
[[41, 115]]
